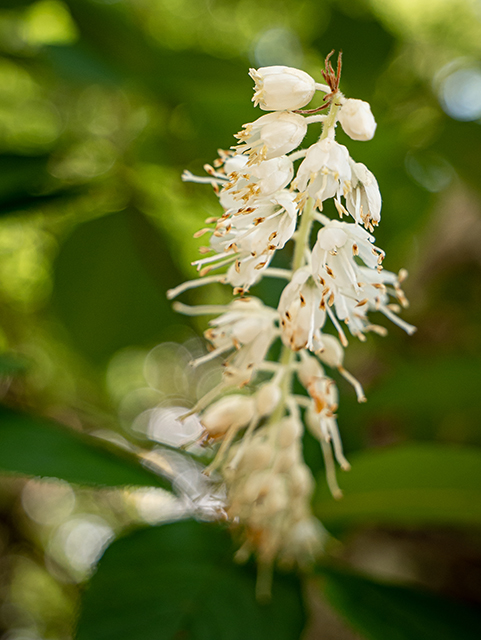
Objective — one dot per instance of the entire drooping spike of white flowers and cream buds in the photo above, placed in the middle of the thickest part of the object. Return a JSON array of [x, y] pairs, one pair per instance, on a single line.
[[271, 193]]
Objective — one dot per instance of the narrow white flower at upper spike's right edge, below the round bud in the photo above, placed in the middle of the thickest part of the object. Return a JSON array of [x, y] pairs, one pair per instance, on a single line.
[[364, 201]]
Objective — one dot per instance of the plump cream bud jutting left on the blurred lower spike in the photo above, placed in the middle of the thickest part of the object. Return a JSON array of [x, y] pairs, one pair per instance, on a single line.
[[233, 411]]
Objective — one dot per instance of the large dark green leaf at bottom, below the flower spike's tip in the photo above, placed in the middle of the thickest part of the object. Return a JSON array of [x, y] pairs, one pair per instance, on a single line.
[[180, 581]]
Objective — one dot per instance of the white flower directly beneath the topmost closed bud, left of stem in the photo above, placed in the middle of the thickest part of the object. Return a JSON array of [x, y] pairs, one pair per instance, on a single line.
[[272, 135]]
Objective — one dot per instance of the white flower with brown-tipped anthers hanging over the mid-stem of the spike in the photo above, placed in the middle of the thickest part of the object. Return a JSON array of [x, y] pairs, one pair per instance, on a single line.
[[300, 315]]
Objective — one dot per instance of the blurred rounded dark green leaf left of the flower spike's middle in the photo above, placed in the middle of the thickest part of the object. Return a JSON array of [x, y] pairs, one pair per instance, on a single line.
[[110, 281]]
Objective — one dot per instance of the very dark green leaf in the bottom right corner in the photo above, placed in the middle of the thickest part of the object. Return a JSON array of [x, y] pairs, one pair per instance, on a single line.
[[382, 611]]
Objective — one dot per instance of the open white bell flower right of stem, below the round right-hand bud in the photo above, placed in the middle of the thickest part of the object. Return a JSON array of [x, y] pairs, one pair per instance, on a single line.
[[325, 171]]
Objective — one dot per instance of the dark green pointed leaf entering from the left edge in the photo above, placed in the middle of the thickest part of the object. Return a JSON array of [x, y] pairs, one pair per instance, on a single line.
[[36, 447]]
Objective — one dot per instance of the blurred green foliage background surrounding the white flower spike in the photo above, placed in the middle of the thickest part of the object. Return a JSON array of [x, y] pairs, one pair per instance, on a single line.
[[103, 103]]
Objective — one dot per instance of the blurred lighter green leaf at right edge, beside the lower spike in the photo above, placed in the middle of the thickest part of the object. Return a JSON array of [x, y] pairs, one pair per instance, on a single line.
[[413, 484]]
